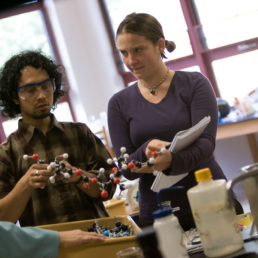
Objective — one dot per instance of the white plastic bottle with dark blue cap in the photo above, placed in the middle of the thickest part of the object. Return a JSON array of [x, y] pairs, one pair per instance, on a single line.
[[169, 232]]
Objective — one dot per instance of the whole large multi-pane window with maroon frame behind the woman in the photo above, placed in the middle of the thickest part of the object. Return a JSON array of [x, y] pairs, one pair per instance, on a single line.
[[215, 37]]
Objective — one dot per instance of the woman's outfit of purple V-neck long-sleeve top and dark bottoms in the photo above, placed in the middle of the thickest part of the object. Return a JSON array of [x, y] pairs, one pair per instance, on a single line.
[[134, 121]]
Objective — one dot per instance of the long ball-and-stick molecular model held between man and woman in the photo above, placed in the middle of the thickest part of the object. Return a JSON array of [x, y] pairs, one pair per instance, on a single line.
[[60, 168]]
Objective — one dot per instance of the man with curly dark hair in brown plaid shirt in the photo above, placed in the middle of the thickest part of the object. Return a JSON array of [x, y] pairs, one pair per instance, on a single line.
[[30, 85]]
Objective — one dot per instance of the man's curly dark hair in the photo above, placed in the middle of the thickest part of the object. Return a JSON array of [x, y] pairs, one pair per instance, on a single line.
[[10, 75]]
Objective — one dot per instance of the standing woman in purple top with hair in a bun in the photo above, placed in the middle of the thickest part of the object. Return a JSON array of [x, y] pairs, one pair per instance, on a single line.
[[146, 116]]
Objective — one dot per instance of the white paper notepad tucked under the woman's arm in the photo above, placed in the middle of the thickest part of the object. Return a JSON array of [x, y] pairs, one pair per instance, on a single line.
[[181, 140]]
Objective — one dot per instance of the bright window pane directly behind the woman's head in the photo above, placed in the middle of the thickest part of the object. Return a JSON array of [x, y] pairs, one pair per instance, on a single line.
[[170, 16]]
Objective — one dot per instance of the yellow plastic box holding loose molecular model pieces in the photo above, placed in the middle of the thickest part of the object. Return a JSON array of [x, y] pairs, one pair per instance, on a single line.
[[106, 249]]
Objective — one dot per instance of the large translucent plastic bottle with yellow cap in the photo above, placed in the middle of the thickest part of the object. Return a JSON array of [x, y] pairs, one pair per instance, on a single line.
[[215, 221]]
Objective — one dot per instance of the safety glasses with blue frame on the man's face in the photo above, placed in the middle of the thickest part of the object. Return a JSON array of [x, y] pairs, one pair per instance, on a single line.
[[31, 89]]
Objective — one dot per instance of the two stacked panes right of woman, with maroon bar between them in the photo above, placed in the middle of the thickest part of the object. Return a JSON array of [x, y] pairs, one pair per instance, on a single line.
[[231, 23]]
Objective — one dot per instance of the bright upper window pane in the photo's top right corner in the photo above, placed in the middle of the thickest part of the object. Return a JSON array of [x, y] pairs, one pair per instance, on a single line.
[[226, 22]]
